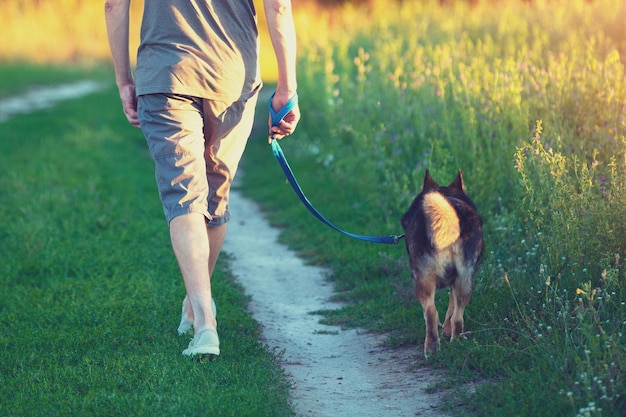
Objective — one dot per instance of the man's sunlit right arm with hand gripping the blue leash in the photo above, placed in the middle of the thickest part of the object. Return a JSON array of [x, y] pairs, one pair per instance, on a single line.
[[283, 36]]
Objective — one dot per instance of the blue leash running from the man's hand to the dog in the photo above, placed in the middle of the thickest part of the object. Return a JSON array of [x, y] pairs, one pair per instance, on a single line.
[[278, 117]]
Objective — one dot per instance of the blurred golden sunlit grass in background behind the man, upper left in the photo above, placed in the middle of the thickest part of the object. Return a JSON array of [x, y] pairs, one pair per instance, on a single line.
[[73, 31]]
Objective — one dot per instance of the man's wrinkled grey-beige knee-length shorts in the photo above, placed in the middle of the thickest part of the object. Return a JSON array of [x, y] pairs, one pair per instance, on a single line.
[[196, 145]]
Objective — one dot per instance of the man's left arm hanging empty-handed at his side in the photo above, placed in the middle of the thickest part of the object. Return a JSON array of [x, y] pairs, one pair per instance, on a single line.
[[117, 22]]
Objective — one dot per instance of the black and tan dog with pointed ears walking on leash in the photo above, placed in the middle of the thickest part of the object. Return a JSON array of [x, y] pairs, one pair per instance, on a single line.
[[444, 241]]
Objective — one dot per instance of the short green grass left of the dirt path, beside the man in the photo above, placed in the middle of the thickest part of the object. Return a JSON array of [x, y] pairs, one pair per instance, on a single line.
[[91, 292]]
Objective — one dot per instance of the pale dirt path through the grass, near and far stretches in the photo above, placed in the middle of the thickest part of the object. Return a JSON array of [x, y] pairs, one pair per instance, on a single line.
[[334, 372]]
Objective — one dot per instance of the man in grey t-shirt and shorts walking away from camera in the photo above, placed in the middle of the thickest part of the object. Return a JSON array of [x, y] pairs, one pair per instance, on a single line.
[[193, 95]]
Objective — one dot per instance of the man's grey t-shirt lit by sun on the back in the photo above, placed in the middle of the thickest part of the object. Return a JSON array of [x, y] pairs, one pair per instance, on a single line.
[[201, 48]]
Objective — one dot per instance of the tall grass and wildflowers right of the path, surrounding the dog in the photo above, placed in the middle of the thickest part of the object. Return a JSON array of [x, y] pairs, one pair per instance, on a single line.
[[533, 112]]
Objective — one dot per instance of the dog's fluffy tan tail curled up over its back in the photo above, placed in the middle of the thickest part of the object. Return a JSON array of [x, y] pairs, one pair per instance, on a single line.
[[443, 225]]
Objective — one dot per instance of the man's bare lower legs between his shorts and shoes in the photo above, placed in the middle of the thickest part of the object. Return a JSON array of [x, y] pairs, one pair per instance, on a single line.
[[197, 249]]
